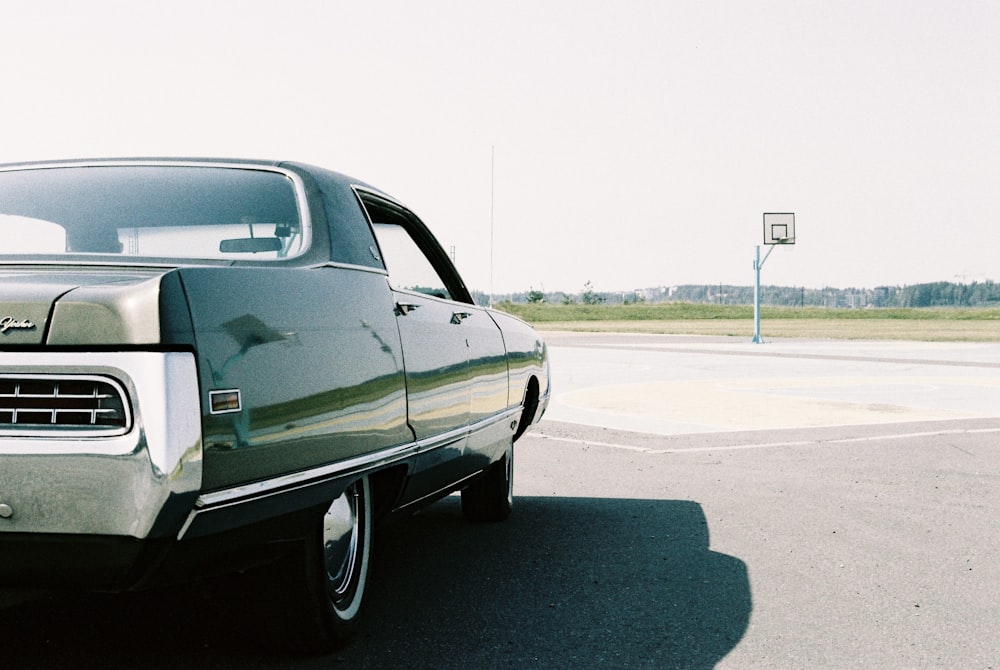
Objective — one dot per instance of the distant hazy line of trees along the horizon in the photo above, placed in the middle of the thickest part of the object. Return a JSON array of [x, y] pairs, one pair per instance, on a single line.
[[937, 294]]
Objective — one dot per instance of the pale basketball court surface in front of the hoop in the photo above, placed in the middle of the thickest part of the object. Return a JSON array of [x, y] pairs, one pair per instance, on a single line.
[[681, 384]]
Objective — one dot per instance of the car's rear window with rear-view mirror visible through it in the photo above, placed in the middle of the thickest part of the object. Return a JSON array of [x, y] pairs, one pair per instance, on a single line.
[[152, 211]]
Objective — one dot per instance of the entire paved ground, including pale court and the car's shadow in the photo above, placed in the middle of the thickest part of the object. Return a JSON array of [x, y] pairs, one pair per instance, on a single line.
[[687, 503]]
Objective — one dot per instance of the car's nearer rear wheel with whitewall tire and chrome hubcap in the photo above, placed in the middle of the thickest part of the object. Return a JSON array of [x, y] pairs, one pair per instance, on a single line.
[[320, 599]]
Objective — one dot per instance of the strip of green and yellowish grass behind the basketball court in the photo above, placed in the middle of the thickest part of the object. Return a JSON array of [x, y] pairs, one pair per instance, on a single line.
[[939, 324]]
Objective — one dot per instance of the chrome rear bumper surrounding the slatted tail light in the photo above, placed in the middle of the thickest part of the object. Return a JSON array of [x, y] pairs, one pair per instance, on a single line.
[[139, 484]]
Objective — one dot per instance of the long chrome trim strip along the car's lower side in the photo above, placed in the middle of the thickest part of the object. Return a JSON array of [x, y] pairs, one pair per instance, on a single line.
[[254, 491]]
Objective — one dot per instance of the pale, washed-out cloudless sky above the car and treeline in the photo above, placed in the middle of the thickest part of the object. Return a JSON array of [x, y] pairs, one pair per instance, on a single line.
[[552, 144]]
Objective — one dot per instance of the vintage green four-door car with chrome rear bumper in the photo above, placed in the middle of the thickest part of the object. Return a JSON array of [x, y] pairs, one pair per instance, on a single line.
[[227, 365]]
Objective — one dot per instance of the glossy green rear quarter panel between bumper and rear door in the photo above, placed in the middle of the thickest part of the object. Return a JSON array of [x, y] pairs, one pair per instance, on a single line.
[[316, 357]]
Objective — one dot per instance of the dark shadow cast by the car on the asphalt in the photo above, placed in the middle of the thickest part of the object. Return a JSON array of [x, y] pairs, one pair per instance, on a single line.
[[565, 583]]
